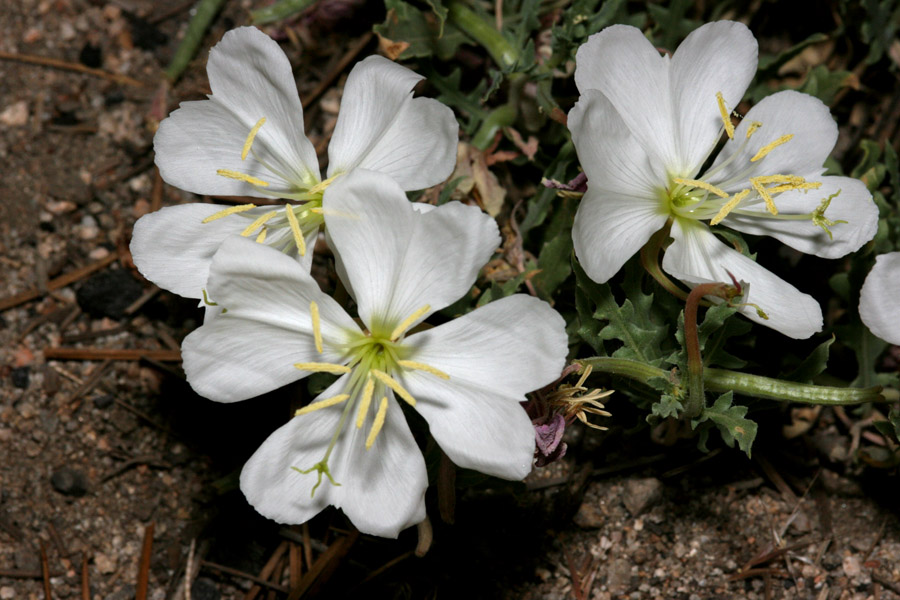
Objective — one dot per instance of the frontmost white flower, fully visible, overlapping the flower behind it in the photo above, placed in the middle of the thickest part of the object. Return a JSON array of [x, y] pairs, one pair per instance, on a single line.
[[351, 447]]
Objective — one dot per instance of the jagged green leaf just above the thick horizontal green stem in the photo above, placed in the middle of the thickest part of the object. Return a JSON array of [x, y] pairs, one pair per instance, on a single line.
[[633, 323]]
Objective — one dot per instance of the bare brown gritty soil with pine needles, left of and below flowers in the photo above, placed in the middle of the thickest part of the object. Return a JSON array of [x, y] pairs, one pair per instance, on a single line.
[[95, 452]]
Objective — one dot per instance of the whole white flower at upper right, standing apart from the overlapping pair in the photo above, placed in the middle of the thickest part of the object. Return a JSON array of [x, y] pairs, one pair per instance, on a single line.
[[645, 125]]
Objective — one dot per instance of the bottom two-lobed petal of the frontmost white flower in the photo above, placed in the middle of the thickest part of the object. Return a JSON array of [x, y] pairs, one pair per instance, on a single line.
[[381, 490]]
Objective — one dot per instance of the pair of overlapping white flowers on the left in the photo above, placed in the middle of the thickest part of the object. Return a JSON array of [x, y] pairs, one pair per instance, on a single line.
[[351, 446]]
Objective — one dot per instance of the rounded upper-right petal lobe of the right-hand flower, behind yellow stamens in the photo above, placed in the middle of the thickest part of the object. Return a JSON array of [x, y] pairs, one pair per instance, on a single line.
[[788, 112]]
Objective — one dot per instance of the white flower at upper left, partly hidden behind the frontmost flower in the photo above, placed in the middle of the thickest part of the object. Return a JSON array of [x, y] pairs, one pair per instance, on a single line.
[[248, 140]]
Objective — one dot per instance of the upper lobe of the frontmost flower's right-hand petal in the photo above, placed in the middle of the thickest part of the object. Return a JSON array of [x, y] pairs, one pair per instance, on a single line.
[[512, 346]]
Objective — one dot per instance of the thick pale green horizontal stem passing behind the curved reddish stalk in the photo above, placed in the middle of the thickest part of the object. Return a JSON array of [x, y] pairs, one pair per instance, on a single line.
[[753, 386]]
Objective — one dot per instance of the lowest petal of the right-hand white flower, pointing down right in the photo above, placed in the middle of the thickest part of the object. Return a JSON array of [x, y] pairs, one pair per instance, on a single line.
[[696, 256]]
